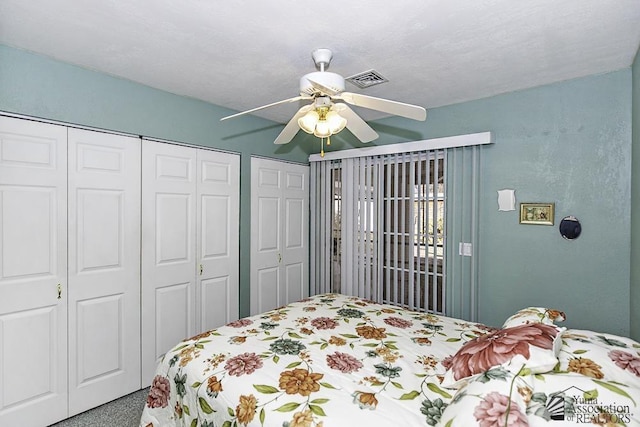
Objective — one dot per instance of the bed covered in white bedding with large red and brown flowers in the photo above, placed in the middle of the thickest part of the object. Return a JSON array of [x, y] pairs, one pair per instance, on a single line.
[[336, 360]]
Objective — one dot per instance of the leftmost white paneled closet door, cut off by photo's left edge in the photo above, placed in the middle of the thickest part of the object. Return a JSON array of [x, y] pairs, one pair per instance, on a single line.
[[33, 273]]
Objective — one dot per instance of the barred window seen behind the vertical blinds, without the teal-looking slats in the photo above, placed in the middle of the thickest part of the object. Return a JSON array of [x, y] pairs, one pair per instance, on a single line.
[[386, 234]]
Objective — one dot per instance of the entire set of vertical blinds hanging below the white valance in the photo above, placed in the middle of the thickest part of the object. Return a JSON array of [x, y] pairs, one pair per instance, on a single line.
[[387, 227]]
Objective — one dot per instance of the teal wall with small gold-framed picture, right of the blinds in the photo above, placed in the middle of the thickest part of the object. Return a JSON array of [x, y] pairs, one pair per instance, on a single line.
[[567, 143]]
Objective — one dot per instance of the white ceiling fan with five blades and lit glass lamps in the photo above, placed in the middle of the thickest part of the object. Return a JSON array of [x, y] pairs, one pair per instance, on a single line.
[[329, 112]]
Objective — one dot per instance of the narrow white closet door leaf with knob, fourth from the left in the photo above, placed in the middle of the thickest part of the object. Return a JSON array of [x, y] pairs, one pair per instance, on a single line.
[[218, 222]]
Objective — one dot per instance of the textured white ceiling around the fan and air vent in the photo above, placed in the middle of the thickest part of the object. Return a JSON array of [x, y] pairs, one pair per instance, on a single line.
[[246, 53]]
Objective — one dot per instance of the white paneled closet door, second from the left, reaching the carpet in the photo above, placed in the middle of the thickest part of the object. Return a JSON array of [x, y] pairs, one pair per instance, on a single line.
[[104, 268]]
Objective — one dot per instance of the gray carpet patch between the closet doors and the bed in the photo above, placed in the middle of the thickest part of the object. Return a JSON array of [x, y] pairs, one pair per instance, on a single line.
[[123, 412]]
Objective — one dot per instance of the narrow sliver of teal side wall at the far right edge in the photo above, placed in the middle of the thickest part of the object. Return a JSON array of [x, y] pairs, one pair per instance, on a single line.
[[635, 205]]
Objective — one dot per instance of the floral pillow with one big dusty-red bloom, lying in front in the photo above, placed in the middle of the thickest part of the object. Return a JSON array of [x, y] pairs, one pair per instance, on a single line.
[[533, 347]]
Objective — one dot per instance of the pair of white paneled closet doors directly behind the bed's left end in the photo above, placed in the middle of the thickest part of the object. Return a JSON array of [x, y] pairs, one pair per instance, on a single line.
[[190, 260]]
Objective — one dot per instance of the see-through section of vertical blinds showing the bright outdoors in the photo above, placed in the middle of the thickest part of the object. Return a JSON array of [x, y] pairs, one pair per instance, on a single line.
[[414, 204]]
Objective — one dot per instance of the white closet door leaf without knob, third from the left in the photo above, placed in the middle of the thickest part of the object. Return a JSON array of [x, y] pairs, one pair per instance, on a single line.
[[168, 250]]
